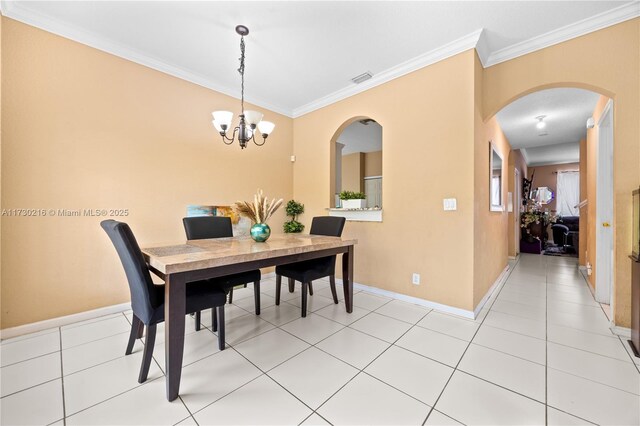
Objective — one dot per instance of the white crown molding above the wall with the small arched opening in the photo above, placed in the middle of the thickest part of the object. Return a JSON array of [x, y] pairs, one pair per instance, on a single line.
[[457, 46]]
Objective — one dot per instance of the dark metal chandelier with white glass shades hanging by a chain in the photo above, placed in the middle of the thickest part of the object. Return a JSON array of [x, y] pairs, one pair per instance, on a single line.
[[249, 120]]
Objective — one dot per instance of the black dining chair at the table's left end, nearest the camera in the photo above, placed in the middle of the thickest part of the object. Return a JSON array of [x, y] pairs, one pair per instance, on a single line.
[[147, 298]]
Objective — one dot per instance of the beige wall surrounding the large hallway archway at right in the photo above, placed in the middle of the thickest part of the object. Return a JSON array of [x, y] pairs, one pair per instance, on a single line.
[[605, 61]]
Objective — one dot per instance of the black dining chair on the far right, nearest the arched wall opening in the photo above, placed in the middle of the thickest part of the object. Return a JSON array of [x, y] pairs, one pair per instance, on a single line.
[[310, 270]]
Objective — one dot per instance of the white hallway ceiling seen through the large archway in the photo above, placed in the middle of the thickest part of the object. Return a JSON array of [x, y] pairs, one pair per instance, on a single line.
[[566, 111]]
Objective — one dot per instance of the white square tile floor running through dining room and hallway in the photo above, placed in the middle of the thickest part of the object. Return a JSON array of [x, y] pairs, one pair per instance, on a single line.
[[540, 352]]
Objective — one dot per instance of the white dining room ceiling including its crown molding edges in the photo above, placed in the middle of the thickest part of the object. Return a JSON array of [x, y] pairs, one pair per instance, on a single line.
[[302, 55]]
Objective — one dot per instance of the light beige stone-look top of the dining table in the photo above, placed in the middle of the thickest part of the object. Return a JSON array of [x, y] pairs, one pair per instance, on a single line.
[[202, 254]]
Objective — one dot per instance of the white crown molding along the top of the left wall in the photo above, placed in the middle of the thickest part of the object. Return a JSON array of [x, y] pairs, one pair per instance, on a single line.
[[16, 10]]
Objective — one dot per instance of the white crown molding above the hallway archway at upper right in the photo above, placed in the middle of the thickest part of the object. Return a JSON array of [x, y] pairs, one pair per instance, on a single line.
[[597, 22]]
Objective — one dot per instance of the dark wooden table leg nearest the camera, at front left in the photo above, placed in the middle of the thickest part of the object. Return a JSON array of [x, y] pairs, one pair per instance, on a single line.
[[174, 312]]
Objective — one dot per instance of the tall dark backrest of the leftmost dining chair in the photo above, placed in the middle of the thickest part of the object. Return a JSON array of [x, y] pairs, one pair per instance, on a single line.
[[144, 296]]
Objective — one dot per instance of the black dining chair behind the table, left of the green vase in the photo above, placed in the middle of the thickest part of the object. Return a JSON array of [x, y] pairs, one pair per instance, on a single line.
[[204, 227]]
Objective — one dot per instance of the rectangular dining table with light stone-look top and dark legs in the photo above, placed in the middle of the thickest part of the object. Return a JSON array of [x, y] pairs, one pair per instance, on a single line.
[[195, 260]]
